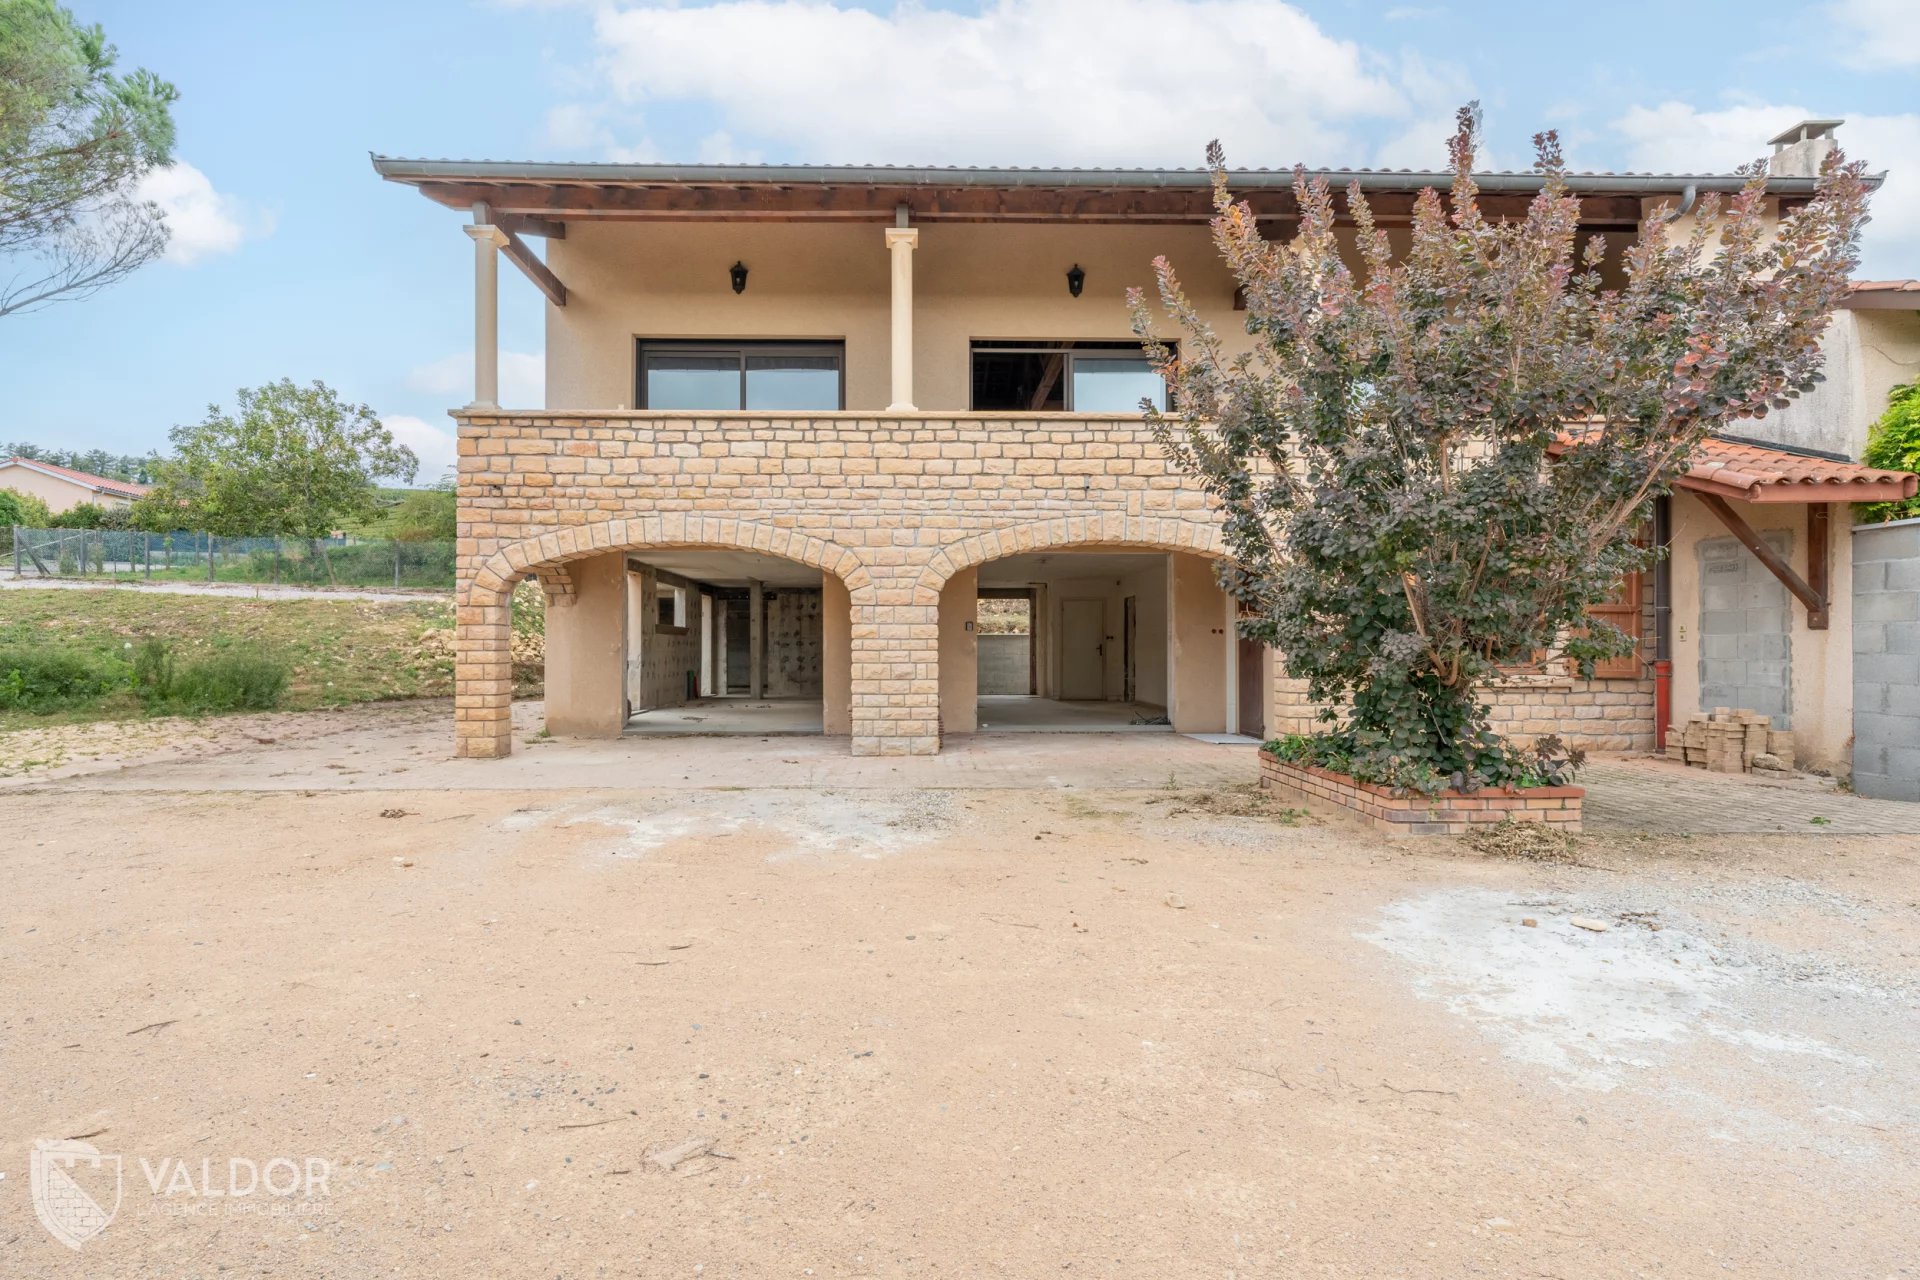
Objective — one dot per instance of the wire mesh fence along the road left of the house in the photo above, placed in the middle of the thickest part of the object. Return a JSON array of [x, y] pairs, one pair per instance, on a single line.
[[132, 556]]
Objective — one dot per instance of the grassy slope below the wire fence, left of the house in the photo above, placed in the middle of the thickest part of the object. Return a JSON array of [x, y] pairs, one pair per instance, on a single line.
[[335, 653]]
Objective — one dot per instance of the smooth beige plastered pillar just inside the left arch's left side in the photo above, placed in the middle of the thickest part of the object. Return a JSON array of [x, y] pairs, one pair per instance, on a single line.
[[587, 652]]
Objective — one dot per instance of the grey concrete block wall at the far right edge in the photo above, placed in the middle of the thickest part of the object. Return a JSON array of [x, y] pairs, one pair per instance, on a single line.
[[1886, 661]]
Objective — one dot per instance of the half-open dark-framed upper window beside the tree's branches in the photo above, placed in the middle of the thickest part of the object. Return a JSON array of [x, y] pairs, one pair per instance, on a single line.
[[1063, 377]]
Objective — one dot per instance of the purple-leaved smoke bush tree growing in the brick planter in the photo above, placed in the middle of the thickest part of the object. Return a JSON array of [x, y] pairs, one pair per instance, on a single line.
[[1429, 465]]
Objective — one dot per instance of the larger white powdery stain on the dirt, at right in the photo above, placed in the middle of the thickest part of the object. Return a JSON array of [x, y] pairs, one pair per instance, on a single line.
[[1593, 1008]]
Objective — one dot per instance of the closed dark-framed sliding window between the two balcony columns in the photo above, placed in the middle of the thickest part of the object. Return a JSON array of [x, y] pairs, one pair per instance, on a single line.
[[779, 377]]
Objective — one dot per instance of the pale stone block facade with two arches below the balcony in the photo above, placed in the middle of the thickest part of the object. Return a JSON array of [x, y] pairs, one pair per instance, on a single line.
[[890, 506]]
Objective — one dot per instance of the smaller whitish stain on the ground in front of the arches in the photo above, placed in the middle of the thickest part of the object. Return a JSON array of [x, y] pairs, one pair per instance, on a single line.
[[805, 824]]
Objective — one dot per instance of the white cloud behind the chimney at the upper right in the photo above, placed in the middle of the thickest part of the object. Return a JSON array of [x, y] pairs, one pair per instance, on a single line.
[[1677, 137]]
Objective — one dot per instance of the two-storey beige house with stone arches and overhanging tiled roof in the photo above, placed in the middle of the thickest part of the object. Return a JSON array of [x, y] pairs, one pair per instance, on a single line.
[[804, 419]]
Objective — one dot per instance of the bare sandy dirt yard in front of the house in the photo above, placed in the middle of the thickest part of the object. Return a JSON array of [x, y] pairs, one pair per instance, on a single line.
[[1074, 1024]]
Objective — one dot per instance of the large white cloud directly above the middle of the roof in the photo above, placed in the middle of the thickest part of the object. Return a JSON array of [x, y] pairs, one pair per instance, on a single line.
[[1022, 82]]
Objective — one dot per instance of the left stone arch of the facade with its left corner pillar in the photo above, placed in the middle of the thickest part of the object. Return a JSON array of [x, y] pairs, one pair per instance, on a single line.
[[483, 667]]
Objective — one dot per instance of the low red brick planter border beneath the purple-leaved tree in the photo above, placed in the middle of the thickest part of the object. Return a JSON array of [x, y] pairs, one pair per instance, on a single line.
[[1451, 813]]
